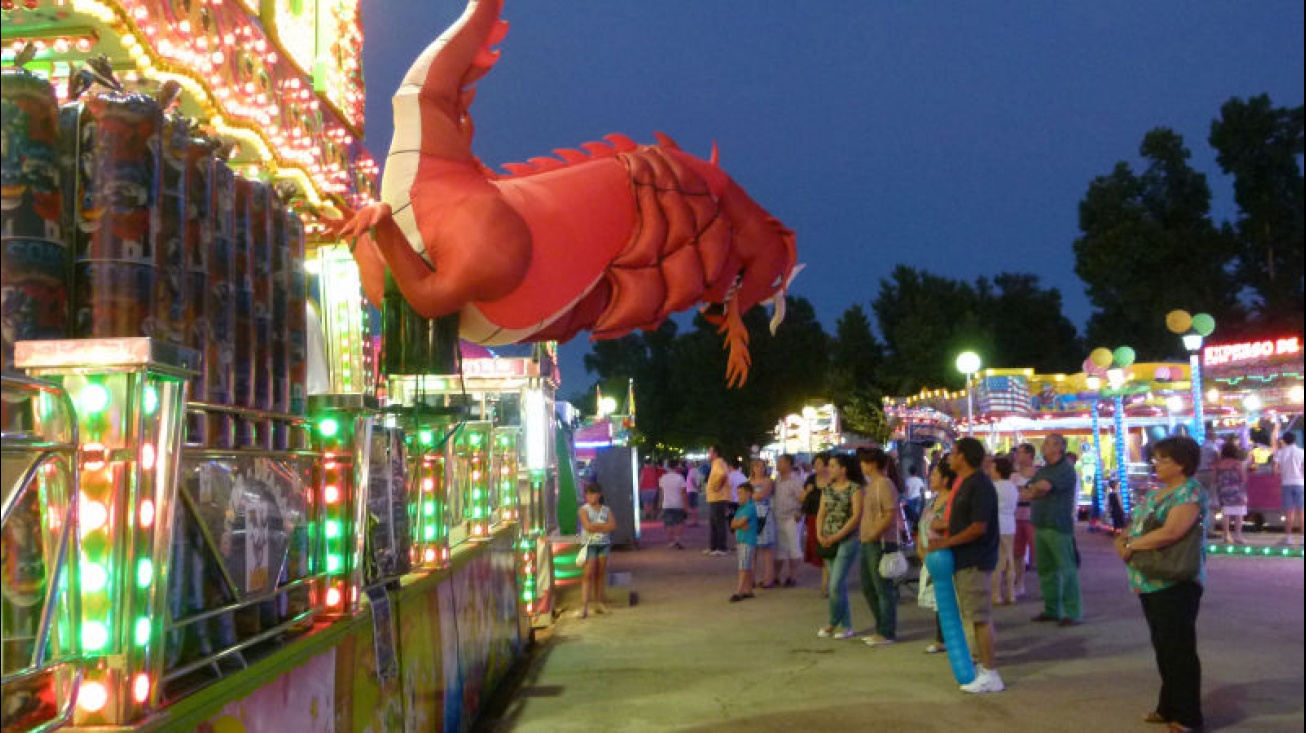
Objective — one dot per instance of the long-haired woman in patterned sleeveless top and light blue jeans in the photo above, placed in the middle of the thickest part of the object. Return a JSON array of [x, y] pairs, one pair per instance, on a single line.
[[836, 526]]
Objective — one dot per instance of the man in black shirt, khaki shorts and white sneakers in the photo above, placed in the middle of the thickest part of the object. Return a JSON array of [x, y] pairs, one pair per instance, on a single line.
[[972, 535]]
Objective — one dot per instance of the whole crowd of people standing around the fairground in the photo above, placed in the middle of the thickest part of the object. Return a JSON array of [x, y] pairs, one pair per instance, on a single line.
[[998, 514]]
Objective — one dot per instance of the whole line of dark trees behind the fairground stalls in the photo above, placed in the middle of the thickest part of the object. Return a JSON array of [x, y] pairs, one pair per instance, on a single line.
[[1149, 245]]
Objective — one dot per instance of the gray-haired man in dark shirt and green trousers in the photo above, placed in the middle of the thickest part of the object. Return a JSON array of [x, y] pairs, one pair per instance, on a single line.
[[1052, 496]]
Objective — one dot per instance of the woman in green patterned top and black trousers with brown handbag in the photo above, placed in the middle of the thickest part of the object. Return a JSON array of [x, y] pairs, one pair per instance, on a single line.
[[1167, 562]]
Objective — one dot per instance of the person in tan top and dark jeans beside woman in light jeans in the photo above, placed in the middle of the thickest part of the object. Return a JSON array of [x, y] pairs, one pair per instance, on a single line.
[[881, 532]]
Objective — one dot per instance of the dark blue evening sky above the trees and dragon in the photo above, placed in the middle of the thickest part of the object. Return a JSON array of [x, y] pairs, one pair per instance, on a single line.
[[951, 137]]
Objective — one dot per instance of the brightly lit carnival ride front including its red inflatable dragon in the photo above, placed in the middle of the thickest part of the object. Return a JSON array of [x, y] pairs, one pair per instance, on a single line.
[[250, 479]]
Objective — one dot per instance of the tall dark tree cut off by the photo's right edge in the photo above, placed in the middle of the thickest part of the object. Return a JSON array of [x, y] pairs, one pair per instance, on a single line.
[[1261, 147]]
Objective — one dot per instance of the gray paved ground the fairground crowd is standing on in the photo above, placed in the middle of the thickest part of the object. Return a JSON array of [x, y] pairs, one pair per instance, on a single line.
[[685, 659]]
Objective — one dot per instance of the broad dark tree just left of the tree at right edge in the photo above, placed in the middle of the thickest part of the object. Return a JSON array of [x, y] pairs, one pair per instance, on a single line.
[[1149, 246]]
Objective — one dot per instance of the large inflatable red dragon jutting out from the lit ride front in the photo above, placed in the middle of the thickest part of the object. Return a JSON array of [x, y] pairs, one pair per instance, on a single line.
[[609, 240]]
